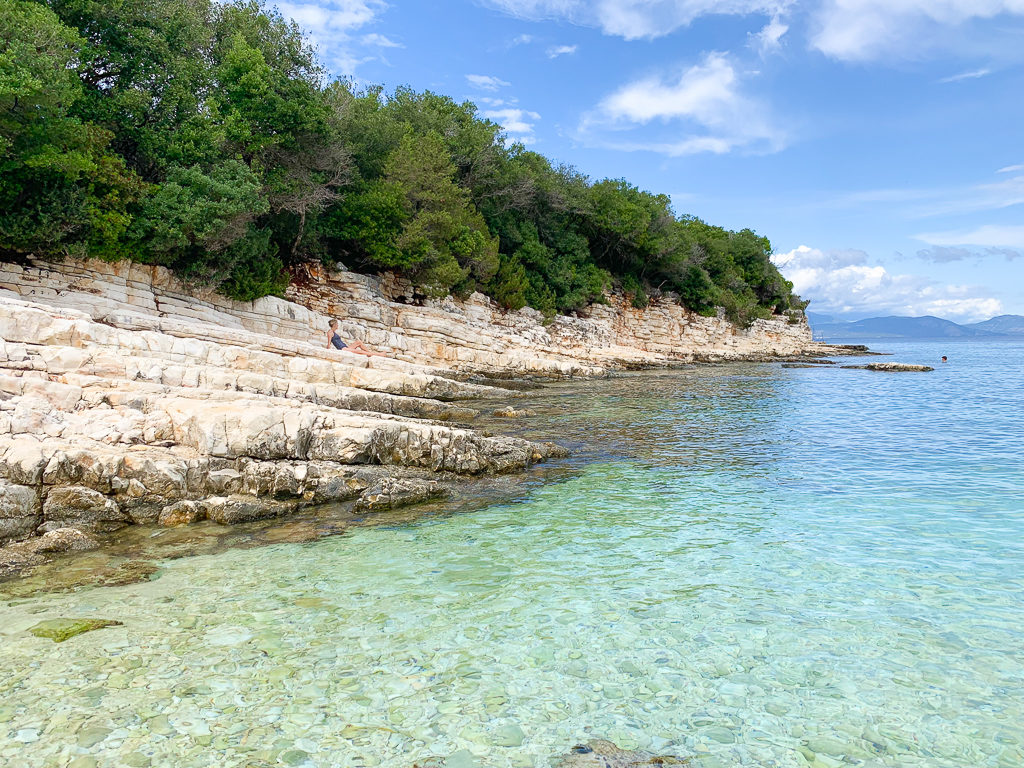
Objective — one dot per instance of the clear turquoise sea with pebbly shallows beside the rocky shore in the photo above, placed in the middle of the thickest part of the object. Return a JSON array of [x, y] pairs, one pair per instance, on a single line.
[[754, 567]]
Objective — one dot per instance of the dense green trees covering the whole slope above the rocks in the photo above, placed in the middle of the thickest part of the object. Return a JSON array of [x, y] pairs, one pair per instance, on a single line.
[[205, 137]]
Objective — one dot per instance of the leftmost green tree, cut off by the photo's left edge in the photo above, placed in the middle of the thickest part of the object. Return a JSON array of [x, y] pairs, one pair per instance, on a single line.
[[61, 190]]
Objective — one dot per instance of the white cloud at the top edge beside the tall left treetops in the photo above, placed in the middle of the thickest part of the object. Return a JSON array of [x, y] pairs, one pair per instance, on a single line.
[[330, 26]]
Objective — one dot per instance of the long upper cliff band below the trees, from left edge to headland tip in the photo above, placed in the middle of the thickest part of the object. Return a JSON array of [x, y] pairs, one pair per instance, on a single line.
[[475, 335]]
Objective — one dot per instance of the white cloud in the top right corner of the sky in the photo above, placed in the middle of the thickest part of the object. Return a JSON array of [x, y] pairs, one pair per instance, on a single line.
[[863, 30]]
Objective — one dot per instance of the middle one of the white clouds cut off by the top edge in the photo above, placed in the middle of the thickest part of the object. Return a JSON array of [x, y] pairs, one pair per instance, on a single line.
[[635, 19]]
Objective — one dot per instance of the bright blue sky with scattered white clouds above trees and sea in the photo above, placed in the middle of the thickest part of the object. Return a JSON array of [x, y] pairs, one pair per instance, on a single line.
[[878, 144]]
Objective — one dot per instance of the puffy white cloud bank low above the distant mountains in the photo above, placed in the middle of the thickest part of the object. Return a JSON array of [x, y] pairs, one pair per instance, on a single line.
[[844, 282]]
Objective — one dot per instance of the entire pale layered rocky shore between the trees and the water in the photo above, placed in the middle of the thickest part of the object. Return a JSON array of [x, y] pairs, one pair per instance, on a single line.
[[127, 398]]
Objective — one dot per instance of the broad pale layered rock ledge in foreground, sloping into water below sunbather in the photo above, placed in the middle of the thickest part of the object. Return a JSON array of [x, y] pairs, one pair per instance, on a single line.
[[103, 426]]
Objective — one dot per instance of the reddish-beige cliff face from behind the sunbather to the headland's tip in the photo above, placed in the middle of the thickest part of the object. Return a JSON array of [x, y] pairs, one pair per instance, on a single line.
[[478, 334]]
